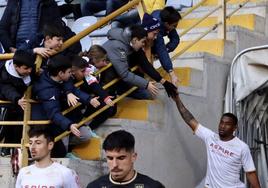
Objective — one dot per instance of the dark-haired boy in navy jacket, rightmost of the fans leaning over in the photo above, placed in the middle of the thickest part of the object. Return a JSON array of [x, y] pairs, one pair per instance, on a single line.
[[169, 18]]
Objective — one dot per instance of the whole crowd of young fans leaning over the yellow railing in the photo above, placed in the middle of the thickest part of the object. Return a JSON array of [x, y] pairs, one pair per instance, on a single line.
[[35, 28]]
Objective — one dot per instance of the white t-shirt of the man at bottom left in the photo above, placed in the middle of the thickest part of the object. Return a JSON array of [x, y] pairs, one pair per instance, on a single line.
[[53, 176]]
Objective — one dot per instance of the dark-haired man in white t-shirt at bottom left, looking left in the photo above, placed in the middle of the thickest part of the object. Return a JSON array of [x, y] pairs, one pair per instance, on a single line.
[[44, 172]]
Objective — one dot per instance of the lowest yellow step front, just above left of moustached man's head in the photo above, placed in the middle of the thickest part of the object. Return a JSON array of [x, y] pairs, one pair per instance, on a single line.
[[90, 150]]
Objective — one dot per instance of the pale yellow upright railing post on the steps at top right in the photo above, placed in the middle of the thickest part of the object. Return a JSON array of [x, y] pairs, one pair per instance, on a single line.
[[222, 20]]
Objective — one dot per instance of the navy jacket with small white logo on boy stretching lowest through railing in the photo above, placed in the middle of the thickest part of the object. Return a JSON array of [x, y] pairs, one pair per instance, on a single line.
[[52, 94]]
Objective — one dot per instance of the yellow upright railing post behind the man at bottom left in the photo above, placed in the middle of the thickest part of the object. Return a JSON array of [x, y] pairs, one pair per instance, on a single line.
[[26, 118]]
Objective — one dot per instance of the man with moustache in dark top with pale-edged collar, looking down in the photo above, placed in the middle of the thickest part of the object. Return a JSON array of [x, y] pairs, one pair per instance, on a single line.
[[120, 154]]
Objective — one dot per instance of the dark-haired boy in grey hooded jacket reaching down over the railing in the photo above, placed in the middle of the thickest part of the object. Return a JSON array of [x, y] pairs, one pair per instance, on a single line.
[[124, 49]]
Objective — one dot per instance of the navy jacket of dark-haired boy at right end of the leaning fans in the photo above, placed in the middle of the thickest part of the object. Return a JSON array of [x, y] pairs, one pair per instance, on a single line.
[[162, 49]]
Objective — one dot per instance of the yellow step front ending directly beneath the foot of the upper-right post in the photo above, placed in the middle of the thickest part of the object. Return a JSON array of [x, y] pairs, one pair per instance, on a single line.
[[214, 46]]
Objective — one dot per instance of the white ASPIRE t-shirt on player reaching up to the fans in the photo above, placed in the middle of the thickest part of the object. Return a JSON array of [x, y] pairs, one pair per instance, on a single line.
[[225, 159]]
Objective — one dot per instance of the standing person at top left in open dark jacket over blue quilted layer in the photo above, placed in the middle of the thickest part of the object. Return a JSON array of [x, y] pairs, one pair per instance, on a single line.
[[23, 19]]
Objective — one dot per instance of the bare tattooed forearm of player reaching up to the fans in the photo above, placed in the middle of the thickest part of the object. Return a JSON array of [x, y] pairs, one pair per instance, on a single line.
[[186, 115]]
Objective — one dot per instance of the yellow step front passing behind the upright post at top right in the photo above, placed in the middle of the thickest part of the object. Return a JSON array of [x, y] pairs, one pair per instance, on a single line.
[[245, 21]]
